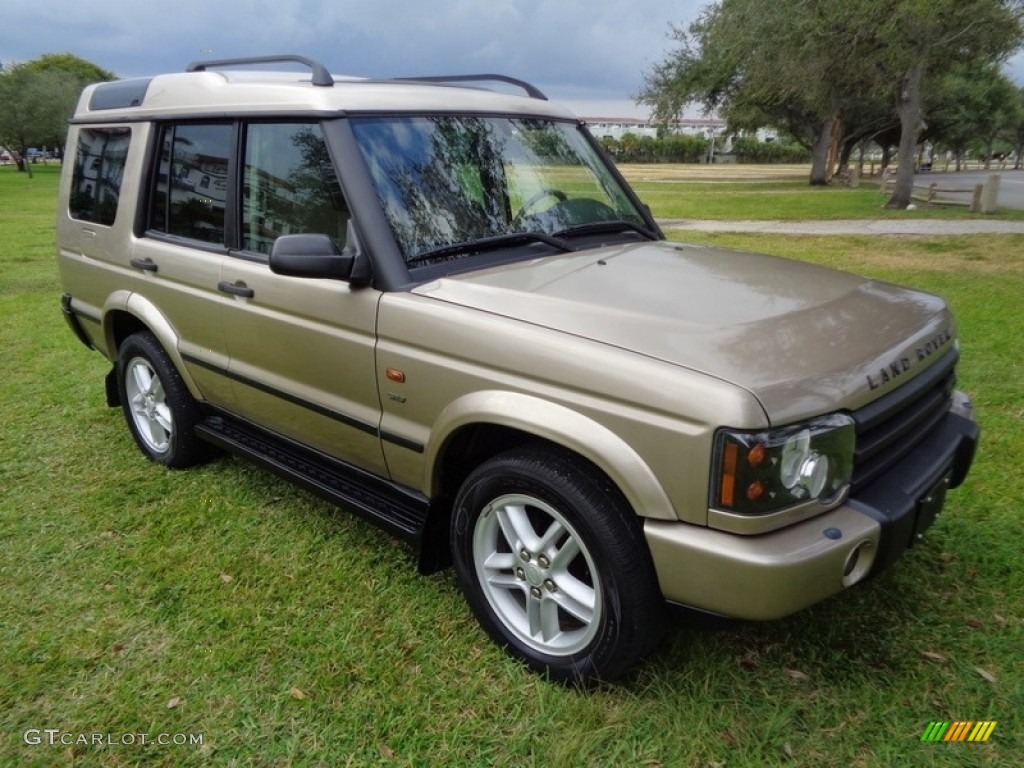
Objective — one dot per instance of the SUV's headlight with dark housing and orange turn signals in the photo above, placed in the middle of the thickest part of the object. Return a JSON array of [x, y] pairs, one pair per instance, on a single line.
[[756, 474]]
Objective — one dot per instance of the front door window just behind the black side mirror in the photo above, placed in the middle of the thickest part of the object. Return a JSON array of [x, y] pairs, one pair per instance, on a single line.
[[289, 187]]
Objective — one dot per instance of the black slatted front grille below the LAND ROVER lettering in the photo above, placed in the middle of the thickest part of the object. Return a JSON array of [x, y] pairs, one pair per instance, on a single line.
[[889, 429]]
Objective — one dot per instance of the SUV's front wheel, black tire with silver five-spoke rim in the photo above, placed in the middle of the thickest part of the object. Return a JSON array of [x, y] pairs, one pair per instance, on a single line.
[[554, 565]]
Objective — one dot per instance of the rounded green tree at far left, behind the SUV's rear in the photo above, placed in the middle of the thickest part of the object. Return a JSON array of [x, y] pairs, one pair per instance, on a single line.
[[38, 98]]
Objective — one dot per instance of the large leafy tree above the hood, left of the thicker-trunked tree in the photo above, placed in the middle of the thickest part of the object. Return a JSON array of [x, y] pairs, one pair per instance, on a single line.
[[785, 64]]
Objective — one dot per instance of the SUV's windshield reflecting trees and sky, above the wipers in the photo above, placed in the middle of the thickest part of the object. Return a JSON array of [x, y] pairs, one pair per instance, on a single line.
[[451, 182]]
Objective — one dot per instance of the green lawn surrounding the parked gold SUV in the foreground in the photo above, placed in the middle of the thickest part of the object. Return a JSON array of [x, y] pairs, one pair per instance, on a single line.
[[225, 603]]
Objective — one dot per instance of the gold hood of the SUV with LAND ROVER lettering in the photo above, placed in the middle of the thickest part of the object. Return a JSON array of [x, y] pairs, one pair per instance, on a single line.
[[804, 339]]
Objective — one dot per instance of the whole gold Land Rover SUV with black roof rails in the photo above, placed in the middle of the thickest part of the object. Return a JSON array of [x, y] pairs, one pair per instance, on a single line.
[[440, 306]]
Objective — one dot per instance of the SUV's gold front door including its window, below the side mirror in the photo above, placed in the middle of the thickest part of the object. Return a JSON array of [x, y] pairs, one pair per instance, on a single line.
[[303, 352]]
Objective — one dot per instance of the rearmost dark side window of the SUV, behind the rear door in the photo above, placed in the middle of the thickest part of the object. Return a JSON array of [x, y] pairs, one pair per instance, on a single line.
[[100, 165]]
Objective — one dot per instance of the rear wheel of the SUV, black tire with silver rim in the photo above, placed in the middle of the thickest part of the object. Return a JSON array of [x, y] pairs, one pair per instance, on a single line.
[[160, 412]]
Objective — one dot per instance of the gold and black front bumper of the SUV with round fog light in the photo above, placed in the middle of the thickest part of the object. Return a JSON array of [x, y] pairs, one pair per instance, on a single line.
[[777, 574]]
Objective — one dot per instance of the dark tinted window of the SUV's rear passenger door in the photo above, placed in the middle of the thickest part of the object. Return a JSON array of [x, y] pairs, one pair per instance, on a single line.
[[191, 192]]
